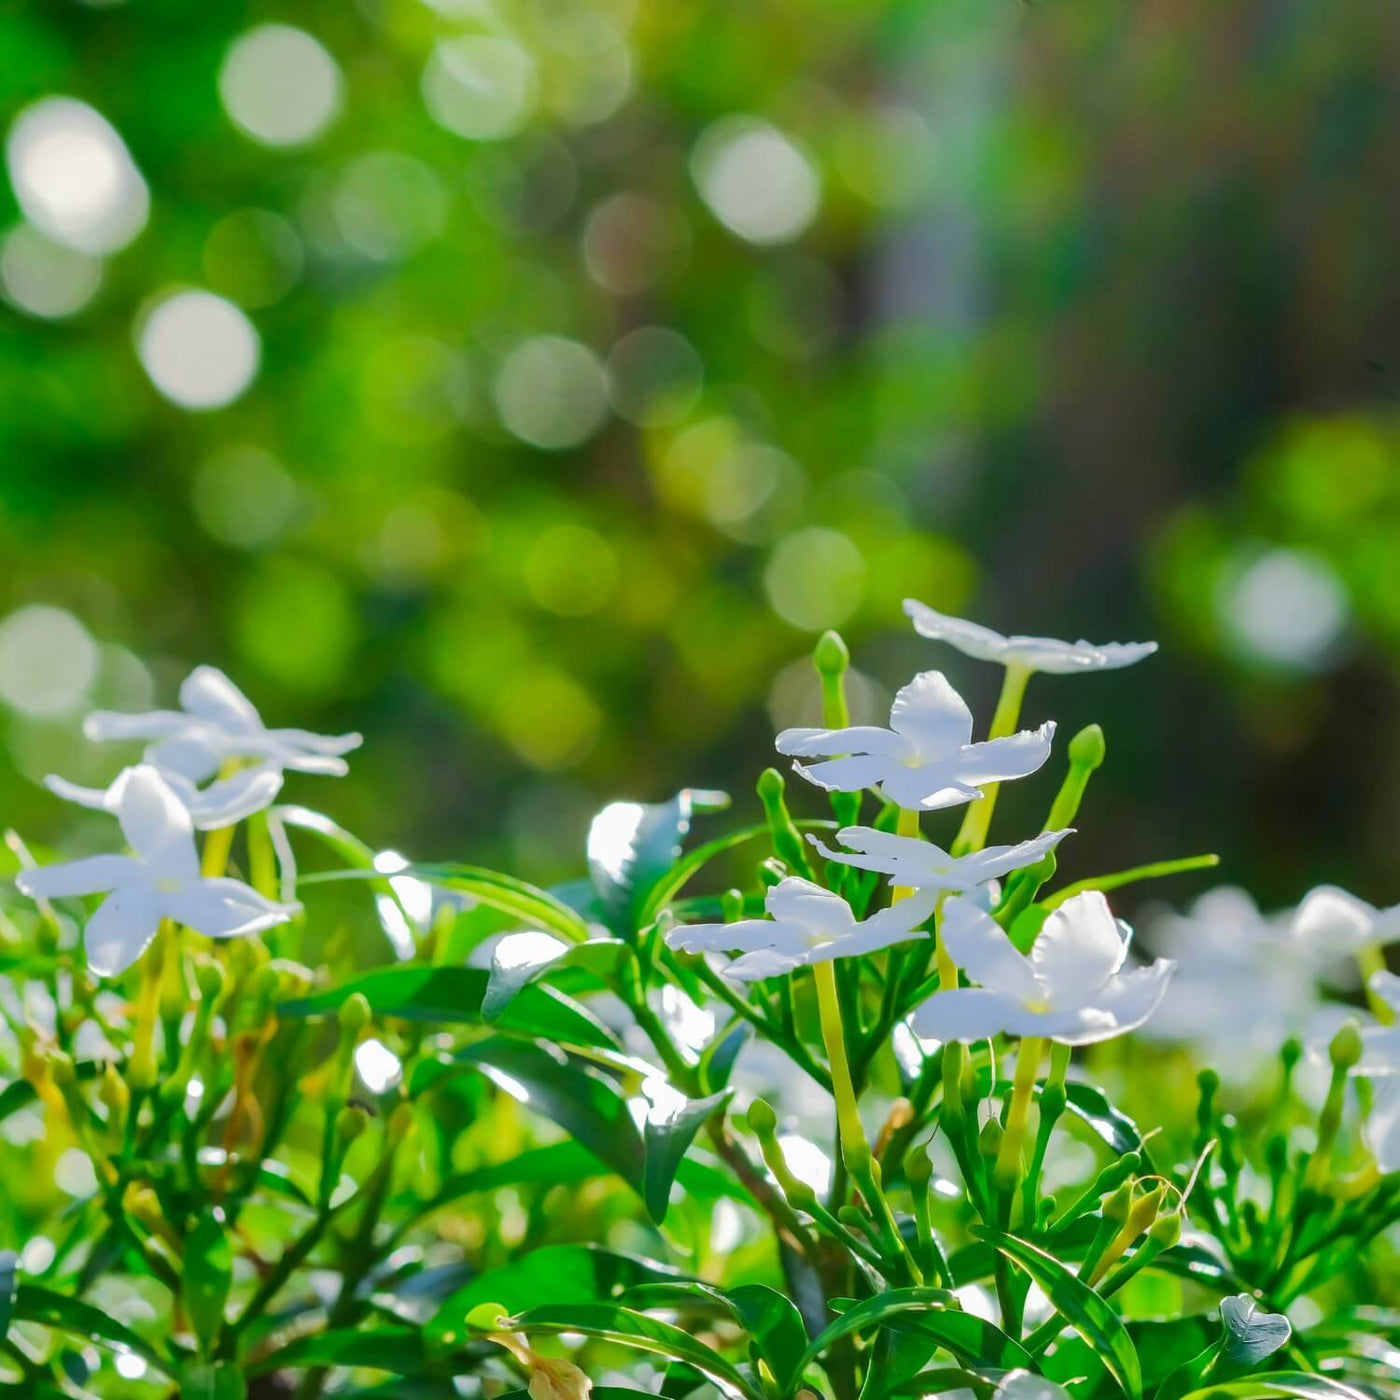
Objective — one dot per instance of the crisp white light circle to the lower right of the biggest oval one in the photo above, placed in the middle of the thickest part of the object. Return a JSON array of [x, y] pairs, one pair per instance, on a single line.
[[199, 351]]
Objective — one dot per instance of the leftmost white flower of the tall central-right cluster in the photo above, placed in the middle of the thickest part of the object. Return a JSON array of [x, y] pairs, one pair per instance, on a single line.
[[808, 926]]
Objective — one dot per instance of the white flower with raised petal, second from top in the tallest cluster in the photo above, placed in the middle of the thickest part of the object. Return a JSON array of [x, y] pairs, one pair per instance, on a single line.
[[926, 758]]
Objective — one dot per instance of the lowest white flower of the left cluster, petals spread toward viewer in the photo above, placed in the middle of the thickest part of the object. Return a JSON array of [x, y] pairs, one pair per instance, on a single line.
[[162, 880]]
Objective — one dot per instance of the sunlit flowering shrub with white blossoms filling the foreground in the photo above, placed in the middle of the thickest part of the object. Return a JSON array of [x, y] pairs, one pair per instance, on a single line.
[[794, 1111]]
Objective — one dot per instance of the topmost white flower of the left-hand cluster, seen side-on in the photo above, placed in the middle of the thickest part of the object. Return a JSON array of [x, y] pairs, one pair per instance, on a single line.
[[219, 723]]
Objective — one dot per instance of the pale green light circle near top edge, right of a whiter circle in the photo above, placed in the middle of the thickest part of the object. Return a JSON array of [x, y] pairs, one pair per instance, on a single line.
[[479, 86]]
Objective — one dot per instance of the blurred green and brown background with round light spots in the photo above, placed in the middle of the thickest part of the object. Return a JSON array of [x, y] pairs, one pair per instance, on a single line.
[[528, 384]]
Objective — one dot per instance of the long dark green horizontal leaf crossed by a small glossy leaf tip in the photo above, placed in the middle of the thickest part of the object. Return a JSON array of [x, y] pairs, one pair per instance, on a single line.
[[416, 992]]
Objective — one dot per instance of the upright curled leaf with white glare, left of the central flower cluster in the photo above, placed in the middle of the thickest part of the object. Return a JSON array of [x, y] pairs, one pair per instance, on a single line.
[[633, 845]]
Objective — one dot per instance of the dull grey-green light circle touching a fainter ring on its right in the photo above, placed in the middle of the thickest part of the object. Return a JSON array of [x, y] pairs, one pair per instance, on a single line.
[[552, 393]]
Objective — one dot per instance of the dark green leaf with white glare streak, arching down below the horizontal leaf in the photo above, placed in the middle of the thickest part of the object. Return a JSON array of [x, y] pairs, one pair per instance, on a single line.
[[583, 1102]]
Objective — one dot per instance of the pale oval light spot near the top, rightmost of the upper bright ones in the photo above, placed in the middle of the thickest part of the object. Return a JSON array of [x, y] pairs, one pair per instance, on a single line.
[[757, 183]]
